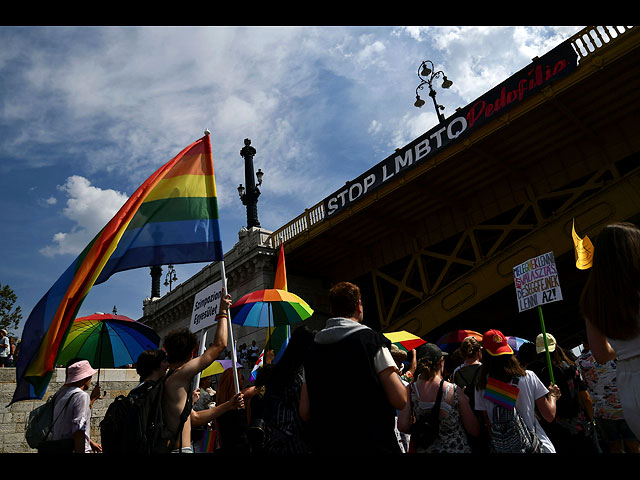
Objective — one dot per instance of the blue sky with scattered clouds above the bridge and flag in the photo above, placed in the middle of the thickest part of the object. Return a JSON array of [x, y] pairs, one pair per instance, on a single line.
[[88, 113]]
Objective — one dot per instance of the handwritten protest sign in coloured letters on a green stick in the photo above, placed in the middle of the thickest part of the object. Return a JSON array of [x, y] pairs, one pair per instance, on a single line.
[[537, 282]]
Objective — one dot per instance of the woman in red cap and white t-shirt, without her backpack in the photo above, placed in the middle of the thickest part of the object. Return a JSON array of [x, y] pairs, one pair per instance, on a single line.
[[502, 381]]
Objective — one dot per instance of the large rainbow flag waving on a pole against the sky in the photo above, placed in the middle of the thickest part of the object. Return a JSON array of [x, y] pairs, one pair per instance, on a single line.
[[171, 218]]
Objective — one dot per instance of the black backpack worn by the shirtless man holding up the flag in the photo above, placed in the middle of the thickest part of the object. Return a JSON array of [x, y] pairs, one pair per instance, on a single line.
[[134, 423]]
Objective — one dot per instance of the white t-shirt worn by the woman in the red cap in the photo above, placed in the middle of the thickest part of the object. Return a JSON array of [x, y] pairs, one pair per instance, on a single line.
[[531, 388]]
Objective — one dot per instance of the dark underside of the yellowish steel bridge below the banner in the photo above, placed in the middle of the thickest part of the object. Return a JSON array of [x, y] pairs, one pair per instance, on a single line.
[[434, 251]]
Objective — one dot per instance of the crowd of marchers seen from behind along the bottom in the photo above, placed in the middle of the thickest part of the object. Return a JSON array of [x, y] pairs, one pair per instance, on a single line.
[[346, 389]]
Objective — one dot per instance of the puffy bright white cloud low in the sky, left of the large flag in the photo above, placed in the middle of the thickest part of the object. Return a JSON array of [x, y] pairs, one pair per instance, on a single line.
[[89, 208]]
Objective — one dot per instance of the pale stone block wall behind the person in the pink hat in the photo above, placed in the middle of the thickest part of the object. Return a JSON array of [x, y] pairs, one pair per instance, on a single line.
[[13, 419]]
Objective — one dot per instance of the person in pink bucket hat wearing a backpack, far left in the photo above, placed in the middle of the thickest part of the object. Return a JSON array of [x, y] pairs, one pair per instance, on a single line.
[[72, 410]]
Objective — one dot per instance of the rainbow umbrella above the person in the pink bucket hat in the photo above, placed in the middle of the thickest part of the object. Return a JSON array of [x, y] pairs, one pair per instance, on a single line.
[[107, 341]]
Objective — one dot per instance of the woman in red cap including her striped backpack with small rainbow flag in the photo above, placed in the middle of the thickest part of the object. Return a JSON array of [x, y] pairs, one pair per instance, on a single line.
[[508, 395]]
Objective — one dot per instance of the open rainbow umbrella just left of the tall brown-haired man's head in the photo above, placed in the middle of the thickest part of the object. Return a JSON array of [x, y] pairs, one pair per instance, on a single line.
[[269, 308]]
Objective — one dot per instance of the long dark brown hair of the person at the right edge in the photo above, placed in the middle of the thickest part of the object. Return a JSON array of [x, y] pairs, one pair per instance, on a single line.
[[610, 300]]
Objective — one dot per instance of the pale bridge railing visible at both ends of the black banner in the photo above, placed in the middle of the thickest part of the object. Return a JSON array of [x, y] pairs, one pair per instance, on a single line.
[[585, 42]]
